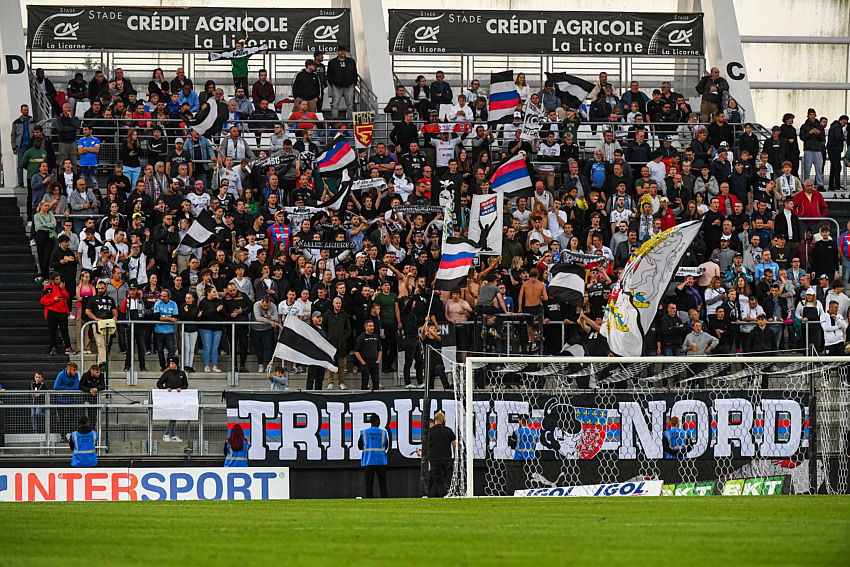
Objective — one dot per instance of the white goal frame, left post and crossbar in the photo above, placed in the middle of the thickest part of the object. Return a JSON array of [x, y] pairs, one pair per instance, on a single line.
[[470, 382]]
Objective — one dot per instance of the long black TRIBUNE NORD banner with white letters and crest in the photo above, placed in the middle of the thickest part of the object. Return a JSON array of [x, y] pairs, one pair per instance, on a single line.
[[319, 430]]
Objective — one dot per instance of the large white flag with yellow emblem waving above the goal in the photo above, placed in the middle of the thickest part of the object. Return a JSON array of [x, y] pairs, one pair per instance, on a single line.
[[634, 301]]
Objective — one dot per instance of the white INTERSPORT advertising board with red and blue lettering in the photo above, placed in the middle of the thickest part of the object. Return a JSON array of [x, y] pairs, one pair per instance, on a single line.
[[113, 484]]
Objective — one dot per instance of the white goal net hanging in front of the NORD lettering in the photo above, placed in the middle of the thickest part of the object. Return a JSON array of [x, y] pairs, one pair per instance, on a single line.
[[702, 425]]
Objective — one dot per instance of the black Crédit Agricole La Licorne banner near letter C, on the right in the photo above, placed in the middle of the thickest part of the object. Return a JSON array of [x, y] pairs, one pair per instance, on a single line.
[[548, 33]]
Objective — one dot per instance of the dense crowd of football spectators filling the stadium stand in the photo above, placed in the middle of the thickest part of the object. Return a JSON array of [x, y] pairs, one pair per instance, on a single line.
[[652, 162]]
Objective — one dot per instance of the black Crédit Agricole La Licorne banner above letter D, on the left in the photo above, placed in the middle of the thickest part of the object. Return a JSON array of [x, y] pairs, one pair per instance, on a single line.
[[123, 28]]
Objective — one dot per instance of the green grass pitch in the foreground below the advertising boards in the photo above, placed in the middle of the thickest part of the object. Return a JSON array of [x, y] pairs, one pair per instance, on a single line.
[[777, 530]]
